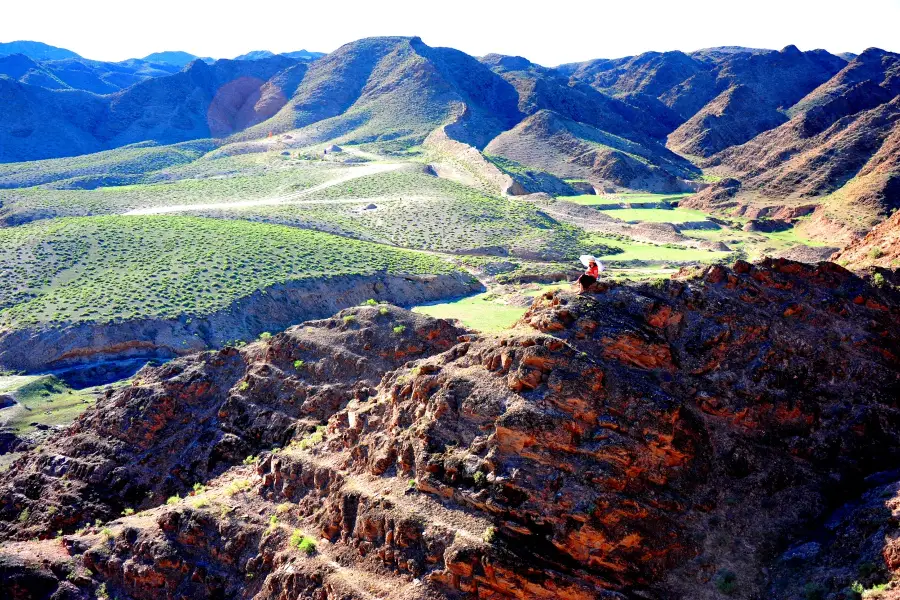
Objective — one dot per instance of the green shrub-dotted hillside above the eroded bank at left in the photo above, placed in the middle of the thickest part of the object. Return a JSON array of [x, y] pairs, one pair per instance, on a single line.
[[110, 268]]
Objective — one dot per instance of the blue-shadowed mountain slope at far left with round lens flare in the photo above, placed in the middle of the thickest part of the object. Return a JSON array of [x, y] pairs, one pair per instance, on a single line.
[[199, 102]]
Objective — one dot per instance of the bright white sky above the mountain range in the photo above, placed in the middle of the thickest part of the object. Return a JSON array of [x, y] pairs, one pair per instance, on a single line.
[[548, 33]]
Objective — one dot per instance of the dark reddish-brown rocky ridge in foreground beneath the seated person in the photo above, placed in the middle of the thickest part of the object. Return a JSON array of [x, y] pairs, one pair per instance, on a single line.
[[665, 440]]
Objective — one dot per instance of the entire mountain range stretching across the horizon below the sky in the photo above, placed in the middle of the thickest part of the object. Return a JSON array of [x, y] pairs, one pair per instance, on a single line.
[[760, 132]]
